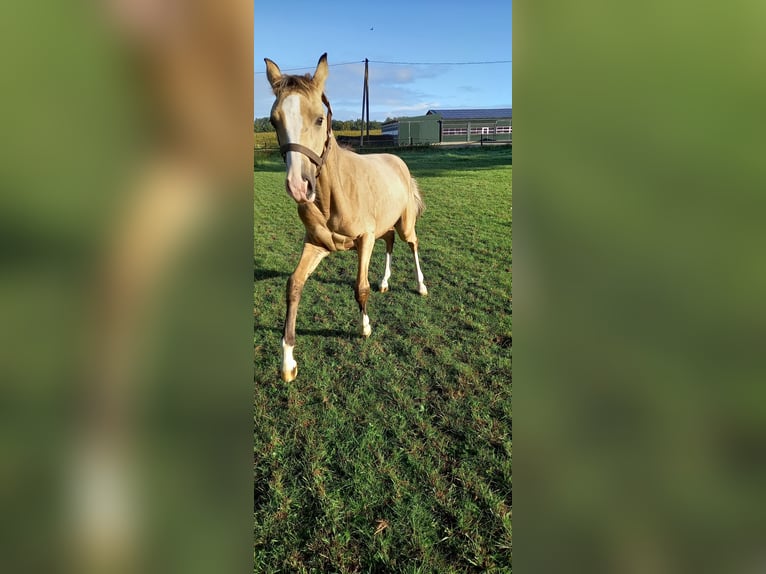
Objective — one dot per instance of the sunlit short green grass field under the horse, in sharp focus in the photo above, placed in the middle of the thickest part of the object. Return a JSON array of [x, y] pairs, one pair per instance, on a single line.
[[390, 454]]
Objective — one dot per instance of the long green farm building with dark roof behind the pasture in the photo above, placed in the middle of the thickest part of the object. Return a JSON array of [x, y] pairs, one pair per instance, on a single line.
[[452, 126]]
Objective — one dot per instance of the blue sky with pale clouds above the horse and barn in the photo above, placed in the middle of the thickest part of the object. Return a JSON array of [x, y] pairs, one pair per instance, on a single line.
[[418, 33]]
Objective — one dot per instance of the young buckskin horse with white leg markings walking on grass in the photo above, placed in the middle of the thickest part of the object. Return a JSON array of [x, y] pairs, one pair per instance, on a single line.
[[345, 200]]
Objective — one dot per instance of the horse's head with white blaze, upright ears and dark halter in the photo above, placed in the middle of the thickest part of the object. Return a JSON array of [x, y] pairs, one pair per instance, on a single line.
[[303, 128]]
